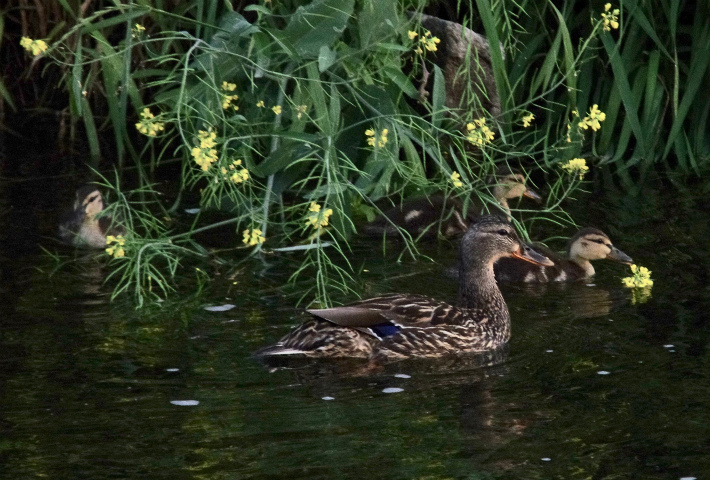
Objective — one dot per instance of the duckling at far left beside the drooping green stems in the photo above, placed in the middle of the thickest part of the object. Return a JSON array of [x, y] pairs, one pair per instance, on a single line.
[[81, 227]]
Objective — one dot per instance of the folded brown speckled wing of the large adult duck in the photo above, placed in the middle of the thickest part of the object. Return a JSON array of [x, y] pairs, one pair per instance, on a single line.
[[404, 311]]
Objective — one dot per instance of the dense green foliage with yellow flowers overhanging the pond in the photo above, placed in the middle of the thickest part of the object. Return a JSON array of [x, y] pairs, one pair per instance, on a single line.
[[295, 118]]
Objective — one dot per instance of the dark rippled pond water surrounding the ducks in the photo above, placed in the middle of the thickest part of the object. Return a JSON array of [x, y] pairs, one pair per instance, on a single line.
[[592, 386]]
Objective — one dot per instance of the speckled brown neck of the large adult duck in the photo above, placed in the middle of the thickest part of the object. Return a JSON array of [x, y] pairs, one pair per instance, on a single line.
[[478, 289]]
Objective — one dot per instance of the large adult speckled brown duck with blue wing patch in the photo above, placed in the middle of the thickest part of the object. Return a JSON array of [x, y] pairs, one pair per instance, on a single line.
[[393, 327]]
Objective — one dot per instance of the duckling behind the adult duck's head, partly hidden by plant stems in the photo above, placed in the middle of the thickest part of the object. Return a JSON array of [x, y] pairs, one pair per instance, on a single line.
[[425, 216]]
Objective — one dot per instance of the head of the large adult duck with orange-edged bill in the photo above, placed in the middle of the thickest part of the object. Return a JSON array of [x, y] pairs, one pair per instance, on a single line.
[[490, 238]]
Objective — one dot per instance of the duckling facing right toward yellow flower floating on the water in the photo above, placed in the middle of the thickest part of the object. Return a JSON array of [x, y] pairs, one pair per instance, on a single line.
[[588, 244]]
